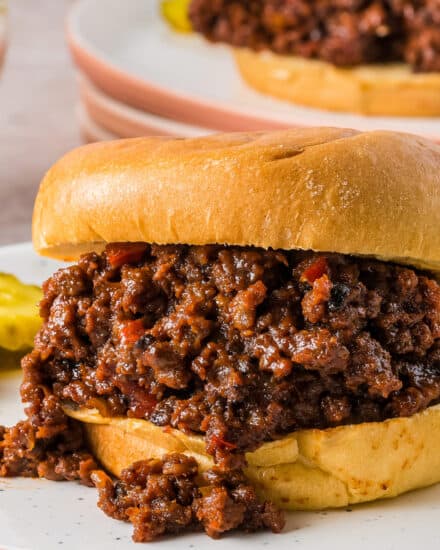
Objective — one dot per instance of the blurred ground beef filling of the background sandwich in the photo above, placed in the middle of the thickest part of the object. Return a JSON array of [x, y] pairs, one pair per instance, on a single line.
[[342, 32]]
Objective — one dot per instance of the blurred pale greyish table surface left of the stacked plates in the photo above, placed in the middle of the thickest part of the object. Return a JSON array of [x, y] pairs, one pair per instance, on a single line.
[[37, 114]]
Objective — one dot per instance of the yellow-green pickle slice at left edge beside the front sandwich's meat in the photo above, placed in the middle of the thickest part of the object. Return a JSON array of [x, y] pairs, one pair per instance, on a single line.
[[19, 319]]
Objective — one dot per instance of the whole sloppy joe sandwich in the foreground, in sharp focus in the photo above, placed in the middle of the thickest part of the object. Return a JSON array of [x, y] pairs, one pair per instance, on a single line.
[[258, 311]]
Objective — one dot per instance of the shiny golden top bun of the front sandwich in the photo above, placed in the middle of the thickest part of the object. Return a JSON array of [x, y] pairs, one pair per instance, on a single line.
[[324, 189]]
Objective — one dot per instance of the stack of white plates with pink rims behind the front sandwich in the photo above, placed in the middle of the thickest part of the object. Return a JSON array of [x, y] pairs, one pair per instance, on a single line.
[[139, 77]]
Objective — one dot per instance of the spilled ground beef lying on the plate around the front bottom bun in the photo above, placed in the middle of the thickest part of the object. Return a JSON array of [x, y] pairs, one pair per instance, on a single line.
[[158, 496]]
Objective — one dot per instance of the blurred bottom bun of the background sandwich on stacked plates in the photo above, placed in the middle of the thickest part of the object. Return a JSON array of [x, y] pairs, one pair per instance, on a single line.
[[389, 89]]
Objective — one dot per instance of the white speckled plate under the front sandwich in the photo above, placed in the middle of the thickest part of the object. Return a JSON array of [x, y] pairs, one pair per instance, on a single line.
[[44, 515]]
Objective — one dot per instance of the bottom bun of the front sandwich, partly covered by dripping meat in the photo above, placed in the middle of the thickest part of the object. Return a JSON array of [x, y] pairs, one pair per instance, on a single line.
[[311, 469]]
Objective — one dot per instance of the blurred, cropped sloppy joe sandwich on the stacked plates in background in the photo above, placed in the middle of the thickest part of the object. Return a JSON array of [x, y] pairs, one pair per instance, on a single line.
[[377, 57]]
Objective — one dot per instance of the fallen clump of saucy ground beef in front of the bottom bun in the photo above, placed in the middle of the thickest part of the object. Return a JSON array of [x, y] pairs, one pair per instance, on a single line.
[[163, 496]]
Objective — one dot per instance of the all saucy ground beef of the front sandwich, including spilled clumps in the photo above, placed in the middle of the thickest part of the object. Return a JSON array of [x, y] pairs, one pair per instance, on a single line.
[[240, 344]]
